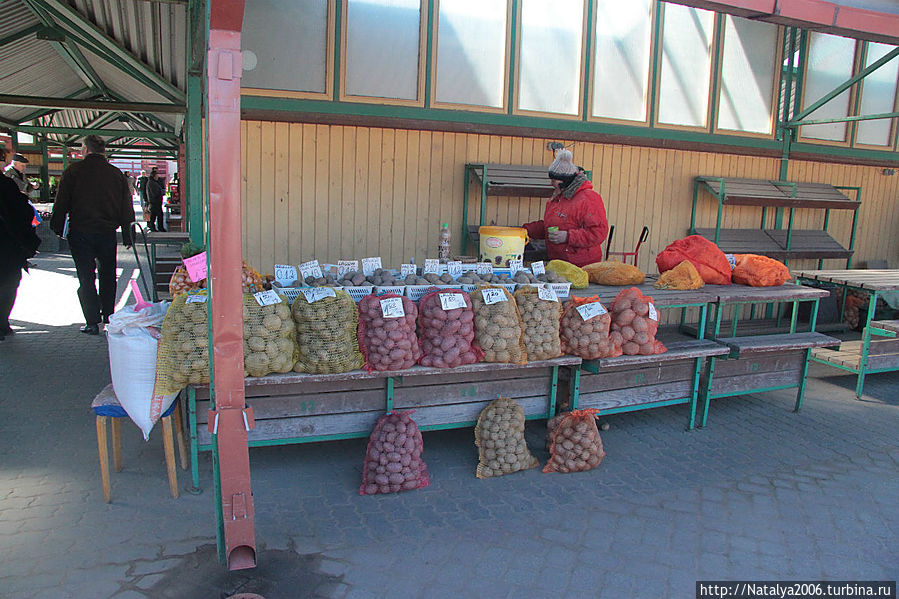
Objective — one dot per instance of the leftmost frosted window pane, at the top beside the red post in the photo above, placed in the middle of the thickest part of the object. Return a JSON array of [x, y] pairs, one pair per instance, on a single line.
[[275, 33]]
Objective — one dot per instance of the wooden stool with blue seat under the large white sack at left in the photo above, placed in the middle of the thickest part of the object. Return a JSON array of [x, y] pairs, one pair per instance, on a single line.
[[106, 406]]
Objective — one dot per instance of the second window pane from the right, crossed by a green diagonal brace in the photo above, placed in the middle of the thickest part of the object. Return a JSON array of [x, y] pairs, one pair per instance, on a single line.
[[830, 59]]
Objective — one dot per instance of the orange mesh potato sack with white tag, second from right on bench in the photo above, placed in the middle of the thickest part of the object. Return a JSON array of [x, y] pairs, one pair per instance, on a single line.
[[584, 329]]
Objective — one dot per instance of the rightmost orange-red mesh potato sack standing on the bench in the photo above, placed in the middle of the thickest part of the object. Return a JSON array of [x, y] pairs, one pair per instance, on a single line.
[[635, 323]]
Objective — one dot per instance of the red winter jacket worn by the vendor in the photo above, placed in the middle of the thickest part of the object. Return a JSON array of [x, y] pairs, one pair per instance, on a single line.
[[584, 217]]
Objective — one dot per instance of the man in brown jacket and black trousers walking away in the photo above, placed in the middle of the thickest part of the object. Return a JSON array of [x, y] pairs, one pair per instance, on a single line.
[[93, 194]]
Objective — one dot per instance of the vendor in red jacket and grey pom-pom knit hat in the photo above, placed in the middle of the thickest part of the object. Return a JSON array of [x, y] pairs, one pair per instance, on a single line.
[[576, 212]]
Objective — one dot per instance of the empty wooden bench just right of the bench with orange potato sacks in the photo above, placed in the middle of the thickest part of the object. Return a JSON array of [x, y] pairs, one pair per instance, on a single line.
[[761, 363]]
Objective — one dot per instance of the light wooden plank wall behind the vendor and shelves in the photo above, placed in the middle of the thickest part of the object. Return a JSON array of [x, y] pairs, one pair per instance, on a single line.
[[339, 192]]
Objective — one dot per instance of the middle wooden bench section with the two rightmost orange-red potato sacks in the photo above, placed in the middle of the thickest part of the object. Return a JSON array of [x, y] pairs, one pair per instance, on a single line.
[[628, 383]]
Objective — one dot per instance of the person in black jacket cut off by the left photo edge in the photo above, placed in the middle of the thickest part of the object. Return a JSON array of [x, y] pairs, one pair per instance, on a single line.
[[18, 242]]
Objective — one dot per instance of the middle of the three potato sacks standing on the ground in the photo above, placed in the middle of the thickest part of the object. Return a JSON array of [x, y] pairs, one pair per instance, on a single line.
[[499, 436]]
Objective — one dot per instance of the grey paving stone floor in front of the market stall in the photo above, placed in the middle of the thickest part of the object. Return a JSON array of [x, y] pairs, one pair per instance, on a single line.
[[761, 493]]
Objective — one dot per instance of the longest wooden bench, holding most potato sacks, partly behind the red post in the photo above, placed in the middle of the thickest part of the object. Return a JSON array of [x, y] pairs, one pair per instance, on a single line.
[[301, 408]]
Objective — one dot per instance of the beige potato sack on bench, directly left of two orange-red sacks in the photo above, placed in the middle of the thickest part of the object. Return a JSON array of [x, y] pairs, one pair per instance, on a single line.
[[541, 312]]
